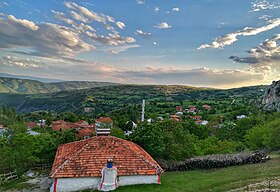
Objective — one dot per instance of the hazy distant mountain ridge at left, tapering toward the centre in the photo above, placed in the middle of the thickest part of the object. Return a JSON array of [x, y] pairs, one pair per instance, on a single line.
[[26, 86]]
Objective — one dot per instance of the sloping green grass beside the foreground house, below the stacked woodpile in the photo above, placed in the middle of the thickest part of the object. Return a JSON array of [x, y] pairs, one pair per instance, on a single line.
[[212, 180]]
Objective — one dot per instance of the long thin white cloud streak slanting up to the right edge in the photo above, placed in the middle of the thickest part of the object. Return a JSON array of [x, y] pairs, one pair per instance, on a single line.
[[230, 38]]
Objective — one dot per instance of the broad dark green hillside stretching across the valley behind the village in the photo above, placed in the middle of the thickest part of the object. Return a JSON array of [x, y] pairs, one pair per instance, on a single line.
[[109, 98]]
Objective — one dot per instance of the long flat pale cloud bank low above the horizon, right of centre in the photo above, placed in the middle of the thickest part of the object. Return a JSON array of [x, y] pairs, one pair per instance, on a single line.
[[195, 77]]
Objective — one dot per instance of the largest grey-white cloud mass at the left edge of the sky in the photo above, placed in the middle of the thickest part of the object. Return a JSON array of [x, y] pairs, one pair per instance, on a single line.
[[46, 39]]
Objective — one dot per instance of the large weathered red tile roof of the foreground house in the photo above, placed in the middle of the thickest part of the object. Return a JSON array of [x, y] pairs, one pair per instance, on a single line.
[[87, 157]]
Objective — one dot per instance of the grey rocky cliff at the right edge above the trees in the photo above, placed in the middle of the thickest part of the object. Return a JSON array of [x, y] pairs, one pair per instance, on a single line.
[[270, 101]]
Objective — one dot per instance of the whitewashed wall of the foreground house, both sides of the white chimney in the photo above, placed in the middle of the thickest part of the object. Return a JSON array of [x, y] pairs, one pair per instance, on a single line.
[[77, 184]]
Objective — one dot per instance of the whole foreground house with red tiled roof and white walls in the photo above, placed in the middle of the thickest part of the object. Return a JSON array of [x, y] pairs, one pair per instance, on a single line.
[[81, 165]]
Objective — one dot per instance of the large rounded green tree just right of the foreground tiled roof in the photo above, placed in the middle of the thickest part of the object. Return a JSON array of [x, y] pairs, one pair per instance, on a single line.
[[167, 140]]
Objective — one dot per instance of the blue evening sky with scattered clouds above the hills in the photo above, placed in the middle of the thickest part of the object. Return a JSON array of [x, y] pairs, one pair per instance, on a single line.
[[205, 43]]
